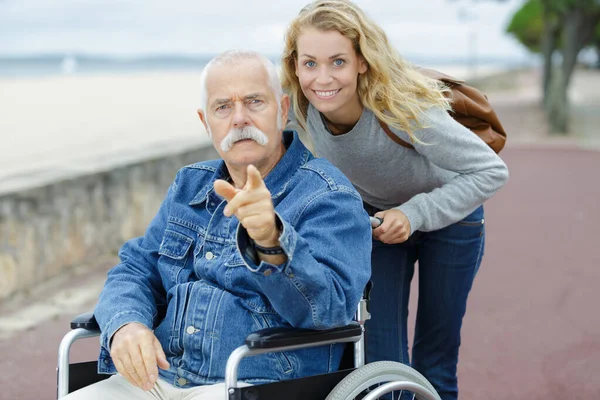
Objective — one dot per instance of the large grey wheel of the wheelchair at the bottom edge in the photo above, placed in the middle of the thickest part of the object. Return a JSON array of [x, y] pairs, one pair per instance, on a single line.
[[373, 375]]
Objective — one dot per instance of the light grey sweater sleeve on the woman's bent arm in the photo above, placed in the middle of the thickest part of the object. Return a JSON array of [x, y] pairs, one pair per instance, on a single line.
[[479, 172]]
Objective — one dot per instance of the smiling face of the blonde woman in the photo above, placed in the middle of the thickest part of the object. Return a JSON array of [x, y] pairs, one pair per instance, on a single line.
[[328, 69]]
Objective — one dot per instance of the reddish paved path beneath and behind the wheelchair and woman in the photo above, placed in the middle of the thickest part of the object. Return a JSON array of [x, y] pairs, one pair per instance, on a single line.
[[532, 328]]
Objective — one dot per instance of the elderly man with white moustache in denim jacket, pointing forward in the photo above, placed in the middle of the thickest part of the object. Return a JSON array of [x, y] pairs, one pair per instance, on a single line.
[[267, 236]]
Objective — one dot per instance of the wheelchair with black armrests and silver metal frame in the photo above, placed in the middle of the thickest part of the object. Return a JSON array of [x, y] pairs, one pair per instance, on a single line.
[[353, 380]]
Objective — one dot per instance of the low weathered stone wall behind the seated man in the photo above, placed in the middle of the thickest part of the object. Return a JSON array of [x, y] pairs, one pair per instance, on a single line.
[[48, 229]]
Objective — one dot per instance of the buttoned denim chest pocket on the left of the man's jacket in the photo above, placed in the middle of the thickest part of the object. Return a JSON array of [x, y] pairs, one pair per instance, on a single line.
[[174, 250]]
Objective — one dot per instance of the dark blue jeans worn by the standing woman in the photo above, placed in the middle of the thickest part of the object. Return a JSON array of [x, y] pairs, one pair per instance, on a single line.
[[448, 261]]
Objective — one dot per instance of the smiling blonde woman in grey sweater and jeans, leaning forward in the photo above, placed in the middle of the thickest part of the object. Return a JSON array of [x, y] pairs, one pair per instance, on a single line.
[[346, 83]]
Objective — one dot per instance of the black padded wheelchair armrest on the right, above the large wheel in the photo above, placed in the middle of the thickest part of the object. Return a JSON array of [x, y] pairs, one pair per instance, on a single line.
[[284, 336]]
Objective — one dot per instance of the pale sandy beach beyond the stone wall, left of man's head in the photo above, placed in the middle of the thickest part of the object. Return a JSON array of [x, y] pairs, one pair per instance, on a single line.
[[78, 123]]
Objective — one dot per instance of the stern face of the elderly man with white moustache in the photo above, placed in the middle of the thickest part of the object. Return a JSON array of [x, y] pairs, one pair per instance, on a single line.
[[242, 115]]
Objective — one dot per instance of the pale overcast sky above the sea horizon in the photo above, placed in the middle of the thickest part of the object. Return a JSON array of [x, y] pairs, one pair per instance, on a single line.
[[120, 27]]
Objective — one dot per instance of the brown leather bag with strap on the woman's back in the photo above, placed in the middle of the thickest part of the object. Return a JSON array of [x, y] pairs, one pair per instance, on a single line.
[[470, 108]]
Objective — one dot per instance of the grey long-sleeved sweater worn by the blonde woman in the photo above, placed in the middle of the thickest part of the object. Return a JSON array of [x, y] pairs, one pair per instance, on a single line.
[[435, 185]]
